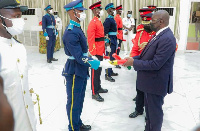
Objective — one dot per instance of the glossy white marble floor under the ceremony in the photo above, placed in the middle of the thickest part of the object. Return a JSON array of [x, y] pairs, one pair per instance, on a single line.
[[181, 109]]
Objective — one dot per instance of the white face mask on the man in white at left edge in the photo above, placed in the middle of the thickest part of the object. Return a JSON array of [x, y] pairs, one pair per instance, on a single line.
[[18, 26]]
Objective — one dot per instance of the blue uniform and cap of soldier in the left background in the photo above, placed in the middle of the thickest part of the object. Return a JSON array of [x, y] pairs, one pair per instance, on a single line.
[[48, 26]]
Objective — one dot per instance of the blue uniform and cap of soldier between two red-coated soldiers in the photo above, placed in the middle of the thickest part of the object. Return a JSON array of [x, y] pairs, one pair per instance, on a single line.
[[110, 29]]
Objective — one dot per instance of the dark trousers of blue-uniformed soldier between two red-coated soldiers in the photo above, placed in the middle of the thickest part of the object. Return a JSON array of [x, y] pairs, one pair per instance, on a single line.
[[109, 71]]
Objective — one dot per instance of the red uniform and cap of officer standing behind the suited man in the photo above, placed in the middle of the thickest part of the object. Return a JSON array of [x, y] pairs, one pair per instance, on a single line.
[[139, 43]]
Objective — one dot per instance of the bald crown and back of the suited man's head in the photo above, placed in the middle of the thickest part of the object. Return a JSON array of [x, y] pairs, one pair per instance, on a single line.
[[163, 15]]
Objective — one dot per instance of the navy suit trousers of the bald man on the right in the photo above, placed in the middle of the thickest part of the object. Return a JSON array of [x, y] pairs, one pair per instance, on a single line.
[[154, 113]]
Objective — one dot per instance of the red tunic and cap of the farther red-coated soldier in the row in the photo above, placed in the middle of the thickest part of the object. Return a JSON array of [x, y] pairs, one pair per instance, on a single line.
[[119, 22]]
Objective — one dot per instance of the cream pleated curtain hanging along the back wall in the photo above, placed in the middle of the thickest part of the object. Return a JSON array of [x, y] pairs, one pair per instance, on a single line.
[[133, 5]]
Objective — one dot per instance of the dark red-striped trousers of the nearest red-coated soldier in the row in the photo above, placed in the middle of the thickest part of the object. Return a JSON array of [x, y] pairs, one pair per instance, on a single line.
[[95, 77]]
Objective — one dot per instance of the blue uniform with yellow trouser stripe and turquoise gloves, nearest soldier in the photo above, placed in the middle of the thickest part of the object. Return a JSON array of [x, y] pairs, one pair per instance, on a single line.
[[76, 69]]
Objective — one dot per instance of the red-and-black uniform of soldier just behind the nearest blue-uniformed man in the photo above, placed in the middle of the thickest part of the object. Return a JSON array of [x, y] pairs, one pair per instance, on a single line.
[[96, 44]]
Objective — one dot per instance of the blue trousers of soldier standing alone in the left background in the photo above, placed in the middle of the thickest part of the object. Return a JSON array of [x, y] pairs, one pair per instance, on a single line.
[[50, 46]]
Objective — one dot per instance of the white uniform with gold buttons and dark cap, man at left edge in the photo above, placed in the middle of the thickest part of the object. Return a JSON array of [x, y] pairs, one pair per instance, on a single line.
[[14, 72]]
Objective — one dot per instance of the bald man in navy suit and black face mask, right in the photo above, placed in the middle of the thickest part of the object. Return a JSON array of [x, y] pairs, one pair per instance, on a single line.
[[154, 68]]
